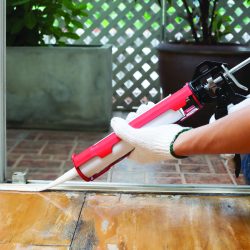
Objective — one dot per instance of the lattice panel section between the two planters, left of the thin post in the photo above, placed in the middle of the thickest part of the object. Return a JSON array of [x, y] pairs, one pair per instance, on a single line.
[[134, 31]]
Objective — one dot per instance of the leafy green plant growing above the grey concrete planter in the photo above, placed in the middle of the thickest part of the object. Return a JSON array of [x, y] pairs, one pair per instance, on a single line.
[[28, 21]]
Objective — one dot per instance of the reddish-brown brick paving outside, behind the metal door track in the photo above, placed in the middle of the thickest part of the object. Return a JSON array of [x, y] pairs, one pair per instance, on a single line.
[[46, 155]]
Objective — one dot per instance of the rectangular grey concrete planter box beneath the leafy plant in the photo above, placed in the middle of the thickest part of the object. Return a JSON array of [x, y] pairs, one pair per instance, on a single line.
[[59, 87]]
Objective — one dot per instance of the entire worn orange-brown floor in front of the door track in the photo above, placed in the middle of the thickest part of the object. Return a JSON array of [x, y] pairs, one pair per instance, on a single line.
[[75, 220]]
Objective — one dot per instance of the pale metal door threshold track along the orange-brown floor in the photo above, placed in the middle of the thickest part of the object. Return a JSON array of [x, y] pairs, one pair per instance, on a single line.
[[131, 188]]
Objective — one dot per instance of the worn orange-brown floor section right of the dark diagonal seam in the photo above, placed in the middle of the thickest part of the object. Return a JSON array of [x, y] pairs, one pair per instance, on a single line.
[[163, 222]]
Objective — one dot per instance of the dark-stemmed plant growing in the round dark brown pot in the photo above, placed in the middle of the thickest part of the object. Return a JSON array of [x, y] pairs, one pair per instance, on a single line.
[[206, 22]]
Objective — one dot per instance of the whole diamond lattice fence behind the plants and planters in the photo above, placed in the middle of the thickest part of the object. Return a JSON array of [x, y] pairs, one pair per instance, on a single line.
[[135, 29]]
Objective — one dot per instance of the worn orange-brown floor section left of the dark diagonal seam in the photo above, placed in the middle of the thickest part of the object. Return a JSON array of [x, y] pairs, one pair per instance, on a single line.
[[47, 218]]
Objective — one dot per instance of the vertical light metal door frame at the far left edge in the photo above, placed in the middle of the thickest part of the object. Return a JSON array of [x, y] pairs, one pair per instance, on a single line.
[[2, 91]]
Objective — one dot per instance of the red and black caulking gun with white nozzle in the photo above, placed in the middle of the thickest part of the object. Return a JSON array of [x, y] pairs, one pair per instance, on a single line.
[[212, 82]]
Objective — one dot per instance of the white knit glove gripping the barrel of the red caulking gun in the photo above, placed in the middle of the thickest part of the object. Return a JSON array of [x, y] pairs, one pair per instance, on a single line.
[[152, 144]]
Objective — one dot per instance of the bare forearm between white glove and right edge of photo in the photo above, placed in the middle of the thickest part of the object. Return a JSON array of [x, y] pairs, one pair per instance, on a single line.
[[230, 134]]
